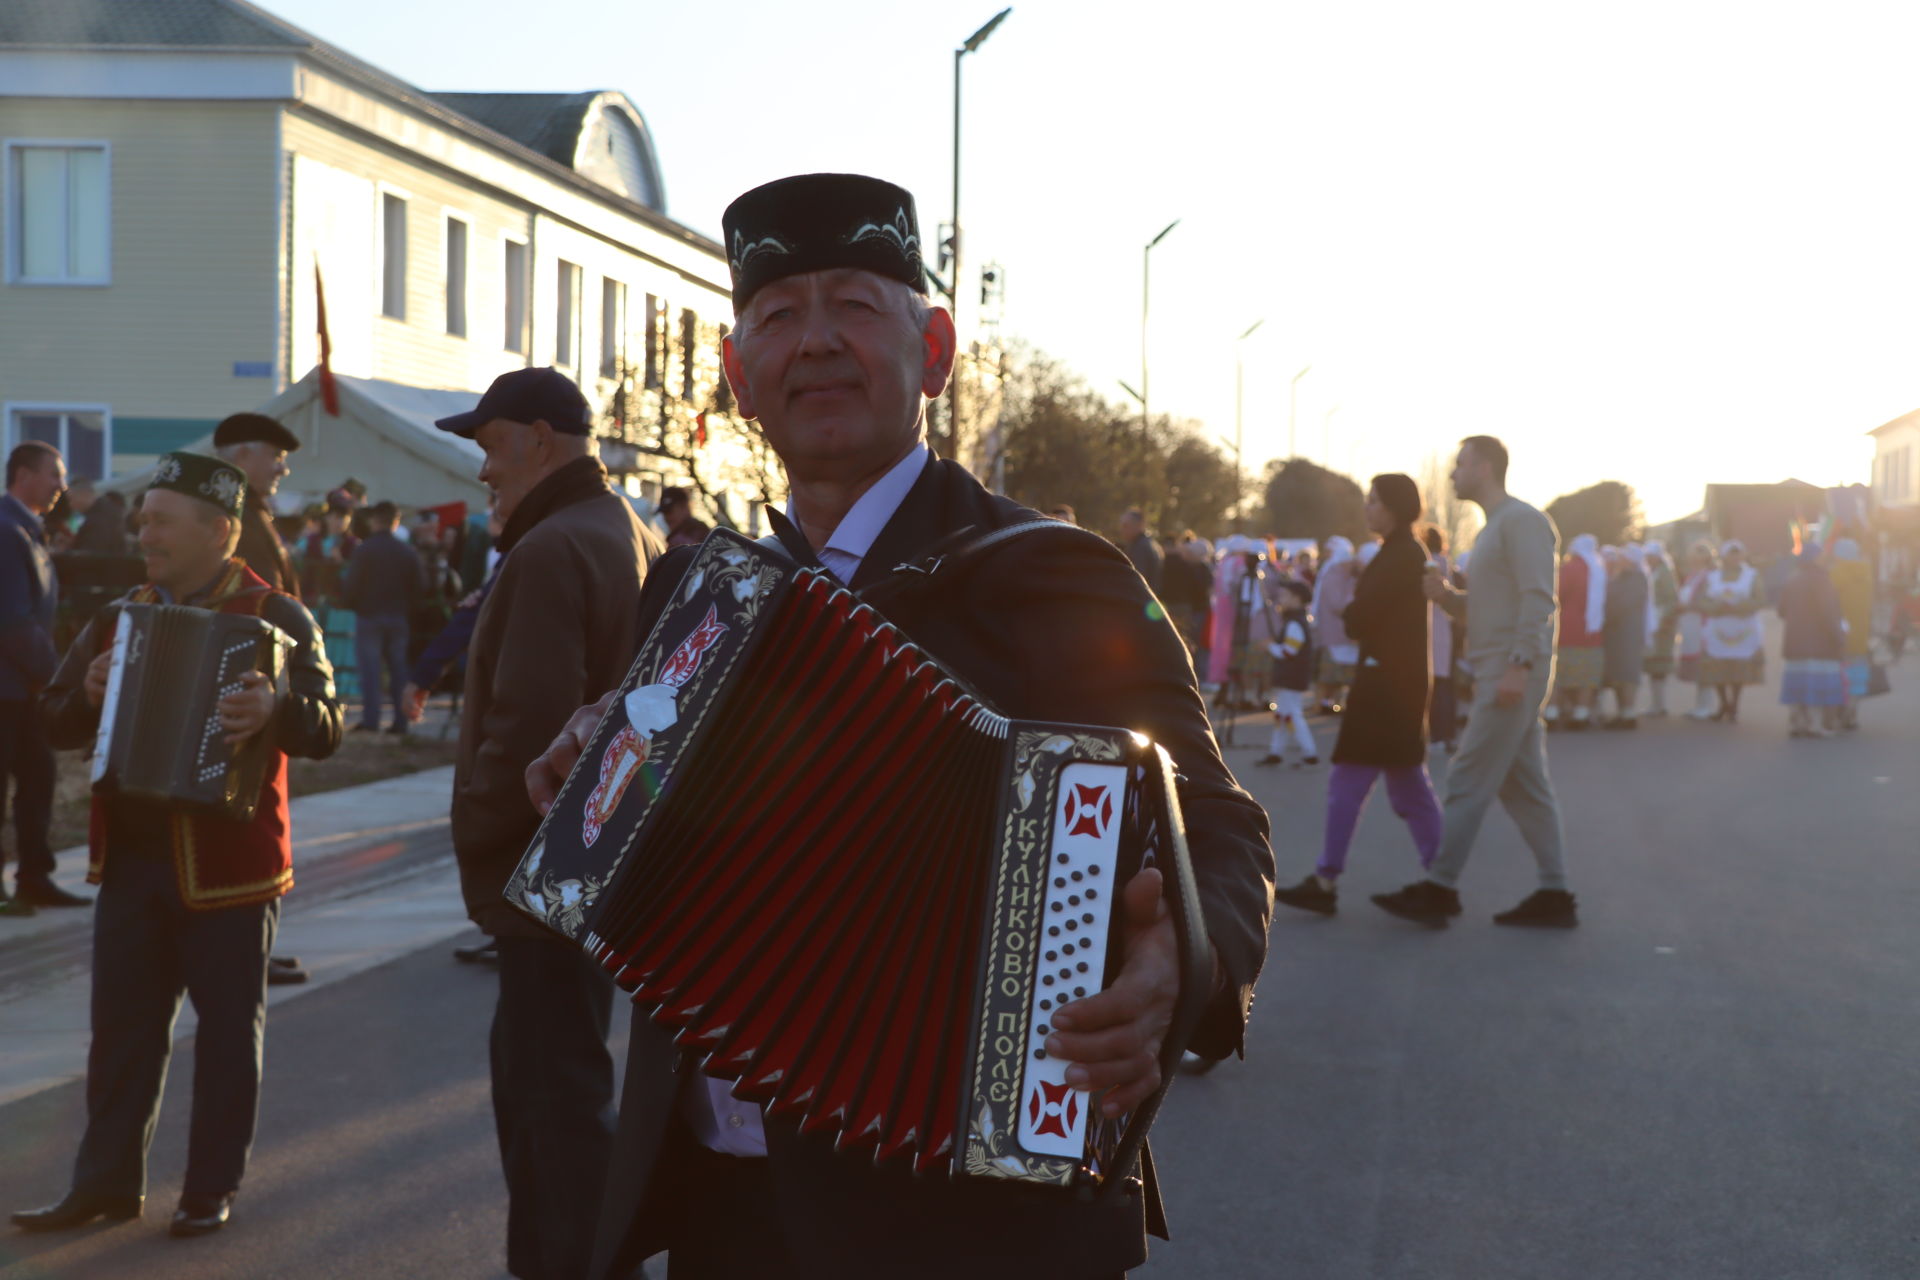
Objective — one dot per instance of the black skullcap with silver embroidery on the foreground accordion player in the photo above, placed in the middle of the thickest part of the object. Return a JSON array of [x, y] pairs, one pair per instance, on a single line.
[[821, 222]]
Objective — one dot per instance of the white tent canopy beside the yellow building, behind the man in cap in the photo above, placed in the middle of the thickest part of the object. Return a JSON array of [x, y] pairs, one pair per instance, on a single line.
[[385, 439]]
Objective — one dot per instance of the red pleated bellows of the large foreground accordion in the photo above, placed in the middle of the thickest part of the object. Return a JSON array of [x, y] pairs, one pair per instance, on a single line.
[[857, 776]]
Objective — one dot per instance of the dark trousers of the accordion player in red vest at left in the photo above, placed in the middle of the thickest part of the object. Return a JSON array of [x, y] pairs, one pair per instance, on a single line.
[[151, 951]]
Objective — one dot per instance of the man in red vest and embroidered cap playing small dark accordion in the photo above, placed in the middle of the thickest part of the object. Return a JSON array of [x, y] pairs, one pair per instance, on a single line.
[[189, 901]]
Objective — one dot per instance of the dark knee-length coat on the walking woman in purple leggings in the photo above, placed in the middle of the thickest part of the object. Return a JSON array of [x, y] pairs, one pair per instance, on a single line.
[[1385, 721]]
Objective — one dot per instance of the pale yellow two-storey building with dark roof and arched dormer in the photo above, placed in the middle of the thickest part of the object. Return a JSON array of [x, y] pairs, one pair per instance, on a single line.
[[180, 174]]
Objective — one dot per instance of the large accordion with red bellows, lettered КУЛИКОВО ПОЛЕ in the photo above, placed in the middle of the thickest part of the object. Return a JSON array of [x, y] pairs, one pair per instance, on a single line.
[[852, 888]]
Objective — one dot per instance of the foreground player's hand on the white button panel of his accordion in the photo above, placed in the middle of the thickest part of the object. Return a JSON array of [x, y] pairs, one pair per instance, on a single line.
[[1115, 1039]]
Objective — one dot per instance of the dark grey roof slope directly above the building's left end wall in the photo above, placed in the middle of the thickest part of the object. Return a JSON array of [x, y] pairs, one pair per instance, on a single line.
[[143, 24]]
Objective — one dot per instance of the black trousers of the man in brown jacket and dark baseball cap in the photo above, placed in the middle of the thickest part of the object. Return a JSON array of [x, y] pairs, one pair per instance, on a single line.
[[552, 1102]]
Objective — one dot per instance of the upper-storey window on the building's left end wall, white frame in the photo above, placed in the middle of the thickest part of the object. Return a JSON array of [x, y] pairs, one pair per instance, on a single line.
[[59, 218]]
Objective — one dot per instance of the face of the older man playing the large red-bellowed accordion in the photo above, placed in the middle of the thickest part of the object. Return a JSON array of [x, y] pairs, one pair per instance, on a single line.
[[834, 366]]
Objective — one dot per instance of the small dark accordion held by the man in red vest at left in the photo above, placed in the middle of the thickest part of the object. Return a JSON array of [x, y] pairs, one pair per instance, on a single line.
[[160, 724]]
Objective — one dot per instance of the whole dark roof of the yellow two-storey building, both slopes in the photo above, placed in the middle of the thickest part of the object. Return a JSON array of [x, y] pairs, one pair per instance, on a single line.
[[548, 126]]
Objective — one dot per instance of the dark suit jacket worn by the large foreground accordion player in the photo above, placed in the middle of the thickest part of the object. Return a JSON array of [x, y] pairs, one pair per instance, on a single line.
[[1049, 627]]
